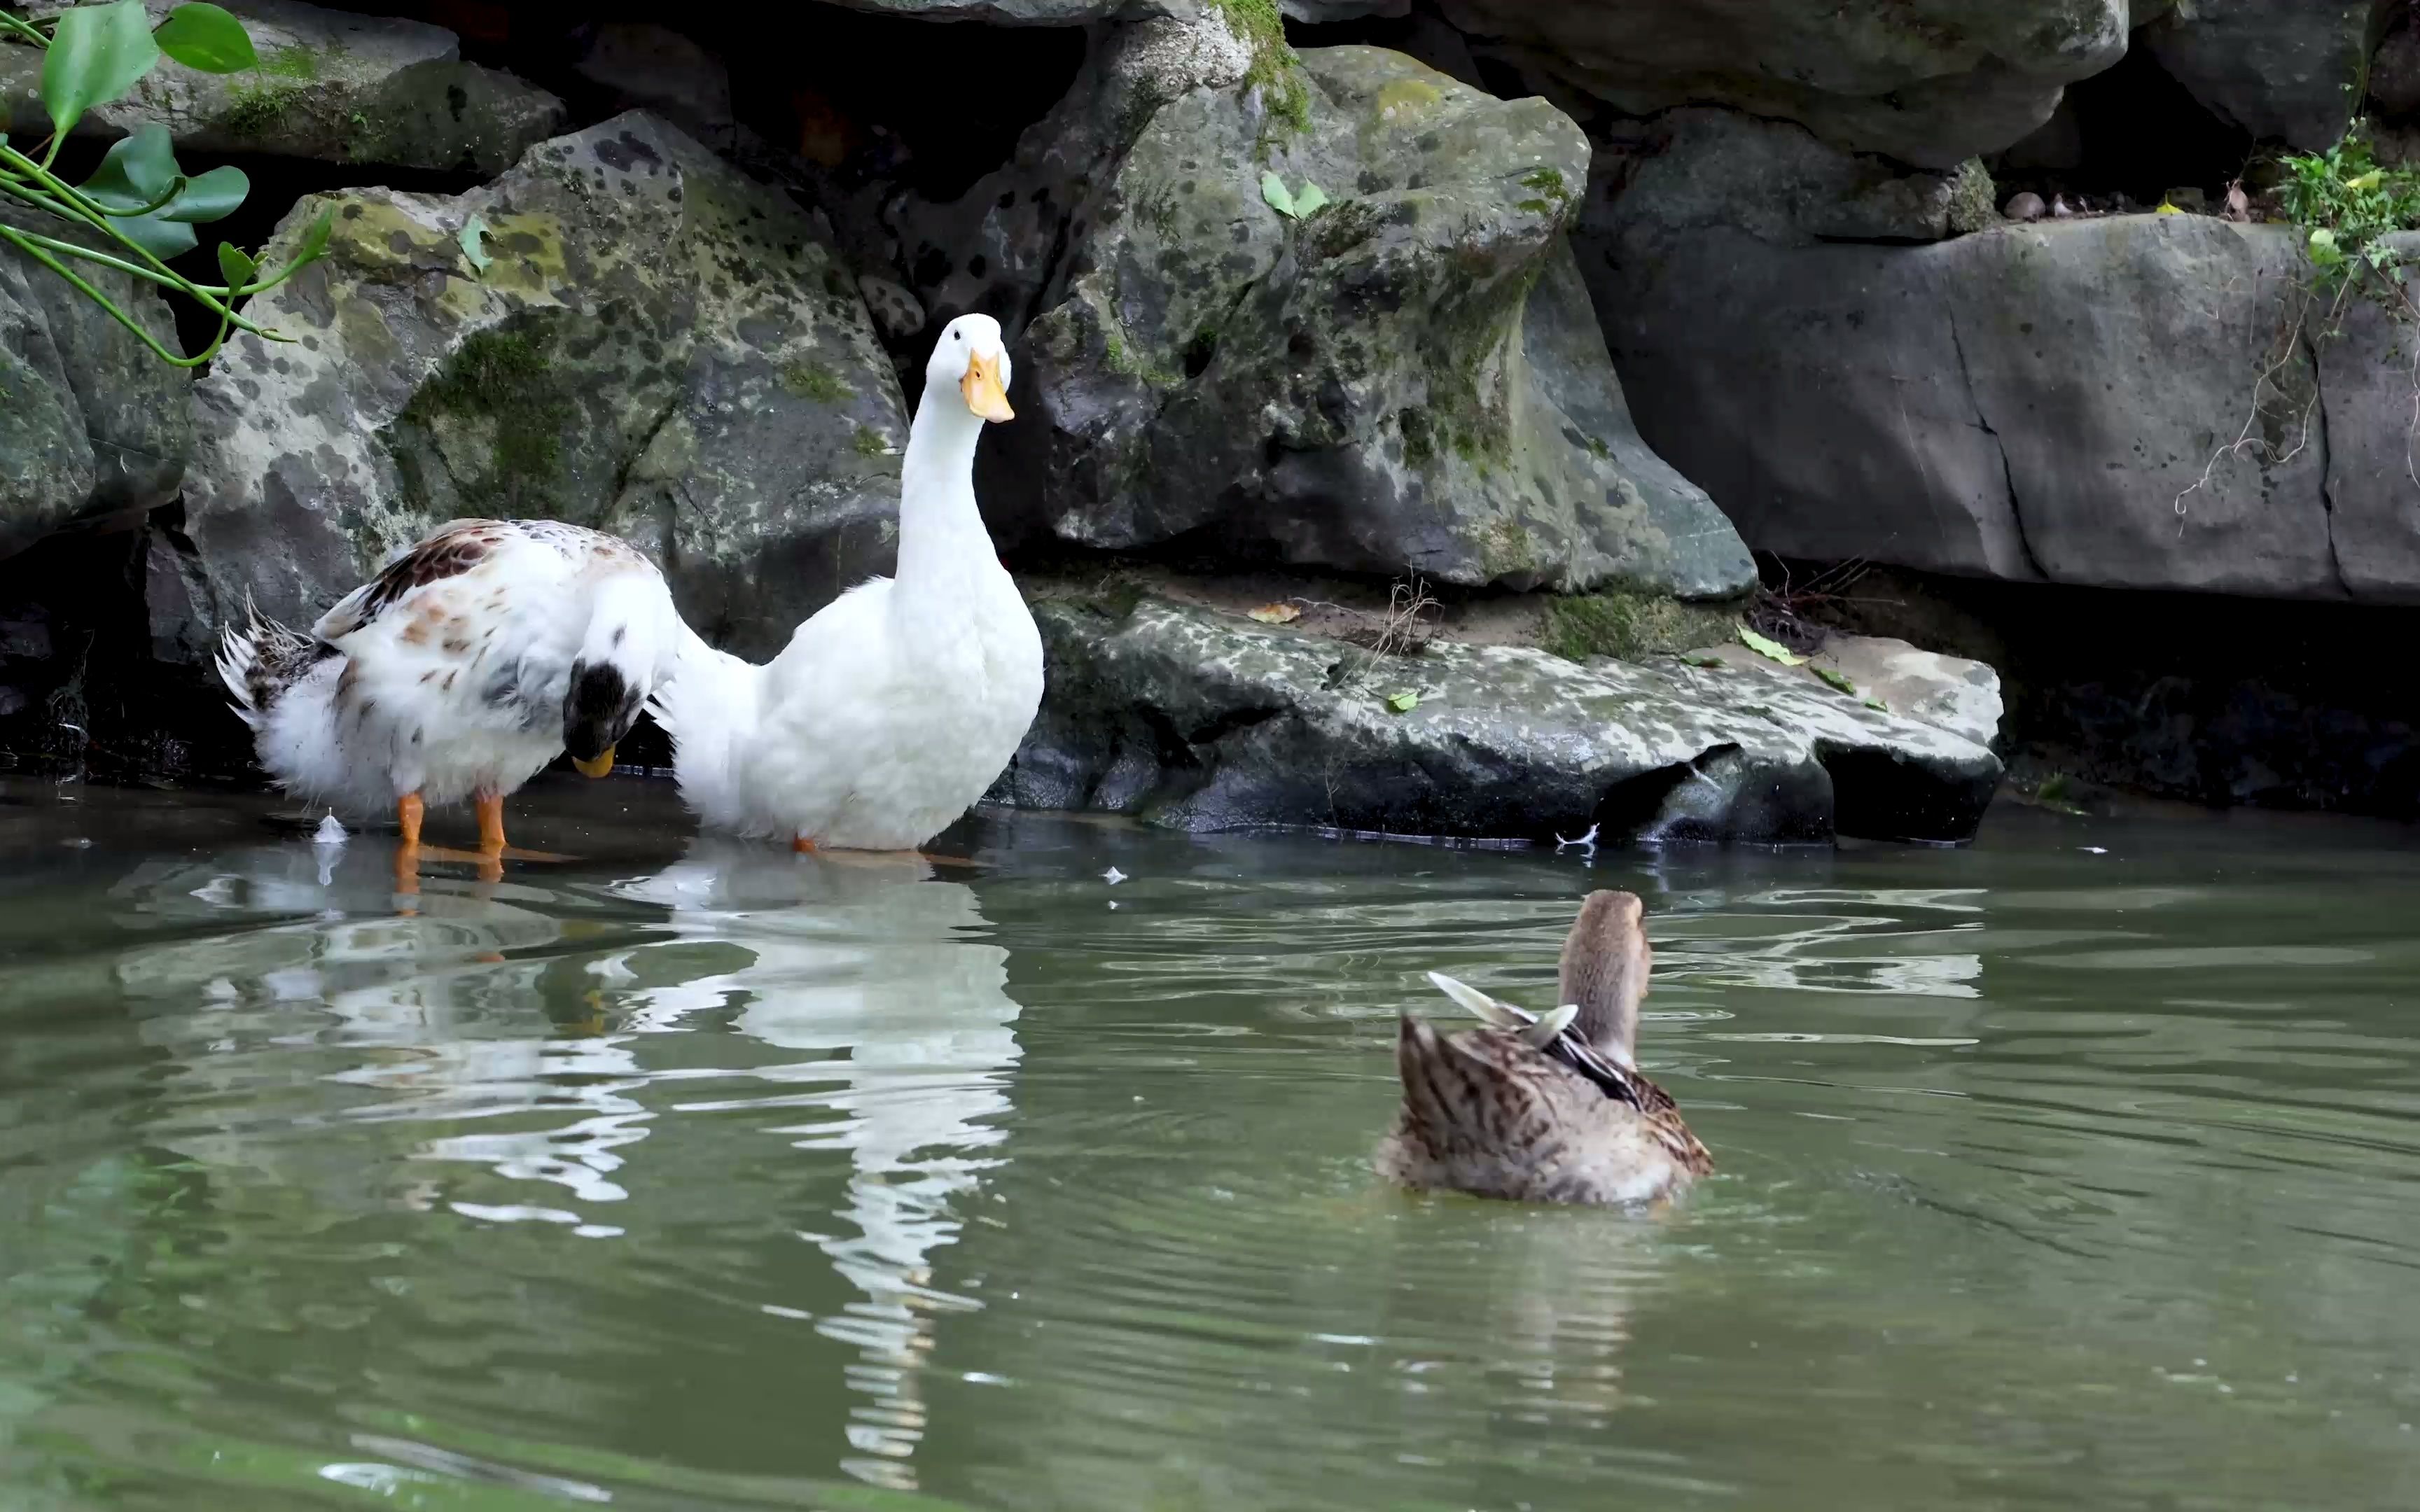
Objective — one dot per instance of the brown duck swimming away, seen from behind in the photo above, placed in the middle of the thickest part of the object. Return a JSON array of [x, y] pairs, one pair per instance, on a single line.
[[1545, 1109]]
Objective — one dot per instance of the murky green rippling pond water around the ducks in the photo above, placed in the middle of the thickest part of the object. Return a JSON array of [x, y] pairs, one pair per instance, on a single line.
[[2080, 1167]]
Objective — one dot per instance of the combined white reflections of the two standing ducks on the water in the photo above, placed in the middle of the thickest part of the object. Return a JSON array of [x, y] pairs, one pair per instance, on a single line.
[[868, 974]]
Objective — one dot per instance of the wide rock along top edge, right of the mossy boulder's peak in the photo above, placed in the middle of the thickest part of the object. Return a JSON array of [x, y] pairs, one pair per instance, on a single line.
[[1925, 81]]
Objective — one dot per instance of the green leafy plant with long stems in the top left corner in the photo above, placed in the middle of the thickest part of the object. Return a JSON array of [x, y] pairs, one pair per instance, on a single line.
[[139, 204]]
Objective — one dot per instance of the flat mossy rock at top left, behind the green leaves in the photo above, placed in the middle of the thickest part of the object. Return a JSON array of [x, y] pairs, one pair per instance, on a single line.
[[333, 86]]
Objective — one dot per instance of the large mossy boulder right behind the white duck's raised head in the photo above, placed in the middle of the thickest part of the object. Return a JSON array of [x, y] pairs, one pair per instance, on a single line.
[[1402, 381]]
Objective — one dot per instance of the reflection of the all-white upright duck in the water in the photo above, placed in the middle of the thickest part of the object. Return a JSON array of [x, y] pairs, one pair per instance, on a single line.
[[877, 969]]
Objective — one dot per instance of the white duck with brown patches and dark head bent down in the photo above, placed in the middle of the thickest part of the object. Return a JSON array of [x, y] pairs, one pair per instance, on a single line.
[[459, 671]]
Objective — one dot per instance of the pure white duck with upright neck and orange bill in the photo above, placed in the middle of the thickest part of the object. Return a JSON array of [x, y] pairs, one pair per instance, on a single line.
[[897, 705]]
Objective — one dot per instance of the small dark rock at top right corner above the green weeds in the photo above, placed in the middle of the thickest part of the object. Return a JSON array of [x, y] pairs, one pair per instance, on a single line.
[[2278, 69]]
